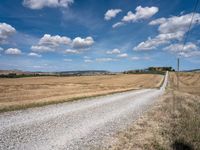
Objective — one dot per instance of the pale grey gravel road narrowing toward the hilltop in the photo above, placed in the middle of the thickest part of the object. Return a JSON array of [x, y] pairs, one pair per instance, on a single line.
[[82, 124]]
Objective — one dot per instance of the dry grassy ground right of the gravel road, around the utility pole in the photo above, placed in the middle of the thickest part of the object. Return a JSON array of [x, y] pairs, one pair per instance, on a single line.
[[173, 123]]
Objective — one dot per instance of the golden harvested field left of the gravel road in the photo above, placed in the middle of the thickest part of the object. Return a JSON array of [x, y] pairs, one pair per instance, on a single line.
[[35, 91]]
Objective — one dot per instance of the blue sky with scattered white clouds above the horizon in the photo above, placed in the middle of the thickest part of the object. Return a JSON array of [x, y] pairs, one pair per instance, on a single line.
[[113, 35]]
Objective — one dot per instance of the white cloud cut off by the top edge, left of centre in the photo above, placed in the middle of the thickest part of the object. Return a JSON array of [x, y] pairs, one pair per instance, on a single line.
[[39, 4]]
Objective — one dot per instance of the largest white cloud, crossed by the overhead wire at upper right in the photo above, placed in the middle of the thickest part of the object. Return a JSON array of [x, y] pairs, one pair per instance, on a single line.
[[170, 29]]
